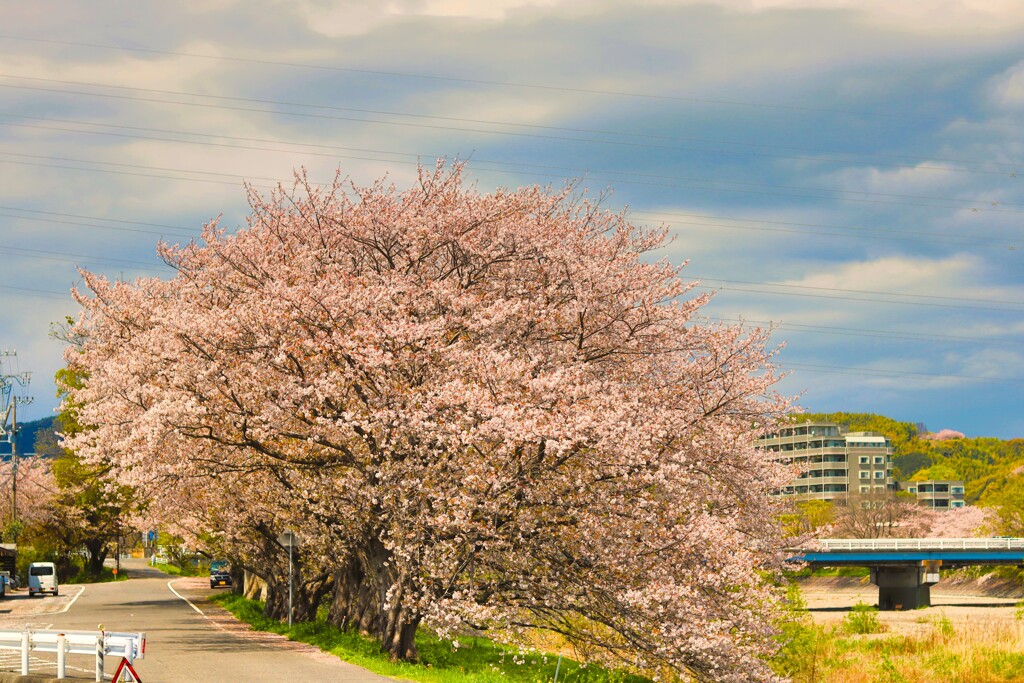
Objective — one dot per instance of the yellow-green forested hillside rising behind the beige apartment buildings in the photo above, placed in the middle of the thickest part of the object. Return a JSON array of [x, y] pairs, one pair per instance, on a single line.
[[986, 464]]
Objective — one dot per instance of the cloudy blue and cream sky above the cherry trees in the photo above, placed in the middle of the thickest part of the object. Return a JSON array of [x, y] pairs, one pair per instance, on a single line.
[[849, 173]]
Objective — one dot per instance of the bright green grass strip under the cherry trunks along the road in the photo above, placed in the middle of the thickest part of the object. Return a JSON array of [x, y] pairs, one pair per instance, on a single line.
[[476, 661]]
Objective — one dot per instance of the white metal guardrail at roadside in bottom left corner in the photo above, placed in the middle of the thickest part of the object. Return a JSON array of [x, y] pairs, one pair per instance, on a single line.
[[132, 647]]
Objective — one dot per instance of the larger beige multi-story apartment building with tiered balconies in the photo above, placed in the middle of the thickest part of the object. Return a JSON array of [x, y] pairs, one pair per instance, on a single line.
[[832, 463]]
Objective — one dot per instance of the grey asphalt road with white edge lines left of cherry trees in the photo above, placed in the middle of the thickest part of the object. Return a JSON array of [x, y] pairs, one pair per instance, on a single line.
[[189, 639]]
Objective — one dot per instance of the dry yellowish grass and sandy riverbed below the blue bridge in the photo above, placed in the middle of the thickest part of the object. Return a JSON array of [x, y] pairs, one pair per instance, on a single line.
[[972, 634]]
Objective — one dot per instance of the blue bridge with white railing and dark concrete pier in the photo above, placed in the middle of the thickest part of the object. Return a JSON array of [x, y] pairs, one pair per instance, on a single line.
[[906, 570]]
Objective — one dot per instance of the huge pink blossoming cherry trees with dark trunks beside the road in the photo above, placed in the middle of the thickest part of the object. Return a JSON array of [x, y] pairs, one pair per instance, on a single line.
[[482, 412]]
